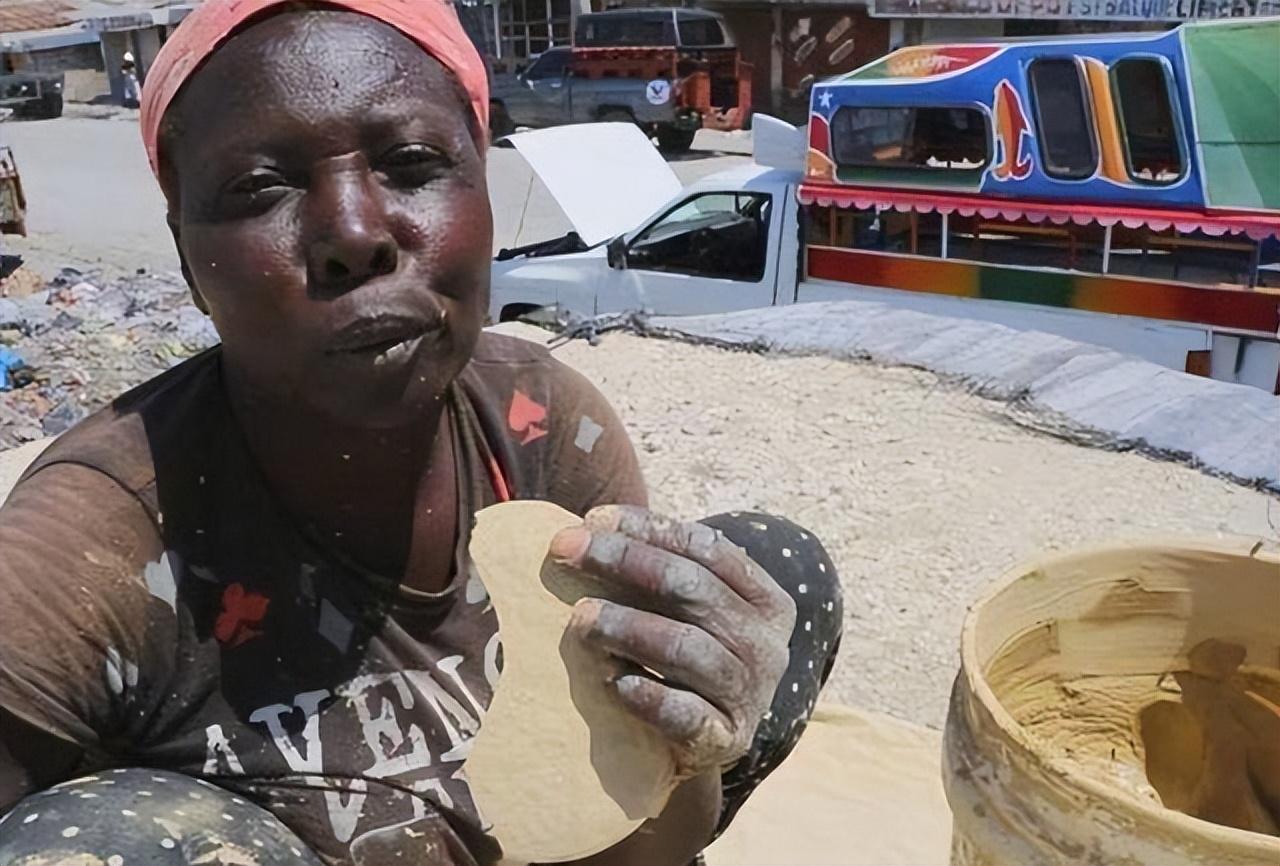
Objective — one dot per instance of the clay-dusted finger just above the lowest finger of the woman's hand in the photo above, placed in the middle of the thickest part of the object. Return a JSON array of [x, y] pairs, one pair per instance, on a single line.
[[684, 656]]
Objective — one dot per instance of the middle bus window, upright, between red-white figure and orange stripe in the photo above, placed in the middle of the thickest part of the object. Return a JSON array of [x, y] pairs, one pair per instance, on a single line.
[[1064, 122]]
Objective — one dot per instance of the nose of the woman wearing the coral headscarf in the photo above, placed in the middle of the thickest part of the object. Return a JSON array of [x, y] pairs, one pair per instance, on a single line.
[[351, 242]]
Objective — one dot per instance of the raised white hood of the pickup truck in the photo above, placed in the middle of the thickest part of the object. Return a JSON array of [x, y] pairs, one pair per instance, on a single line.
[[606, 177]]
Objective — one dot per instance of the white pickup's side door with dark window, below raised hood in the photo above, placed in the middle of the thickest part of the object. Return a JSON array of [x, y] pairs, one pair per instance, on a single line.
[[711, 253]]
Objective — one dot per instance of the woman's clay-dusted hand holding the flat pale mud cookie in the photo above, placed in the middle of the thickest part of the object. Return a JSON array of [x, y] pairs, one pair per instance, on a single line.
[[694, 611]]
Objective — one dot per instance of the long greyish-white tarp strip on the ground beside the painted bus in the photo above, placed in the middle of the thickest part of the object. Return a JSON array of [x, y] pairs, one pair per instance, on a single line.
[[1075, 390]]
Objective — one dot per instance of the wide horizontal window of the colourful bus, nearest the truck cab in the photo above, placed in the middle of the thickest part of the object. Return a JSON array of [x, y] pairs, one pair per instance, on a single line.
[[897, 139]]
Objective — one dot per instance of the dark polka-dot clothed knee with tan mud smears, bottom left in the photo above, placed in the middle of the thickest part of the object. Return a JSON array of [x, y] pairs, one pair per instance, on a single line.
[[134, 818]]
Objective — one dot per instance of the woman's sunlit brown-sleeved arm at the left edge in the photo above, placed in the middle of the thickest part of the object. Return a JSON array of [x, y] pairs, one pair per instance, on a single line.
[[74, 551]]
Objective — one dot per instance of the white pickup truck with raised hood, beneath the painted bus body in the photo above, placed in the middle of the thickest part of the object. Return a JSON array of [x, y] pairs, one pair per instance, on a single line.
[[735, 241]]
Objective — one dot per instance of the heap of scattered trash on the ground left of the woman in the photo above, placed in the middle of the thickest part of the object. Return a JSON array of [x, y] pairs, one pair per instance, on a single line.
[[70, 349]]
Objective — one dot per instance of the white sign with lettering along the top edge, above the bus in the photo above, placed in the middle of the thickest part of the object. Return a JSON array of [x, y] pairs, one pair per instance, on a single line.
[[1169, 11]]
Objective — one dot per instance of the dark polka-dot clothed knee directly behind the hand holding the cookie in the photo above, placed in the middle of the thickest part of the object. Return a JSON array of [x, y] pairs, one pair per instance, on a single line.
[[802, 567]]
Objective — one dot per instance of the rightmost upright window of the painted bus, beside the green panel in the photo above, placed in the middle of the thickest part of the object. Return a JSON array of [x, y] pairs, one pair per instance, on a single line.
[[1148, 121]]
